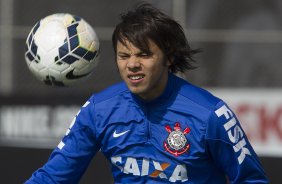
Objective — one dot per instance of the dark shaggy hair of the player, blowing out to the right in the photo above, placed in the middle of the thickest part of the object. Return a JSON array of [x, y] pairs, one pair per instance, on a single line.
[[145, 23]]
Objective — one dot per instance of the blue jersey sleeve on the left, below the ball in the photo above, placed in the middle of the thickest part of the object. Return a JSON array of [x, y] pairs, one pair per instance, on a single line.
[[71, 157]]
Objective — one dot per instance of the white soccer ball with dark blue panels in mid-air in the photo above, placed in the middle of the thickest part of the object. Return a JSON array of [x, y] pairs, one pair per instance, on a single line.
[[62, 49]]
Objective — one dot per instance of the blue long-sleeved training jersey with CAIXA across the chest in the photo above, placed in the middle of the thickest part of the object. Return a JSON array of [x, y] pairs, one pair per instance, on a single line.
[[184, 136]]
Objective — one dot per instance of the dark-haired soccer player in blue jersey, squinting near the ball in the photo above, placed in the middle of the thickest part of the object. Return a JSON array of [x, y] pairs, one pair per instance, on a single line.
[[154, 127]]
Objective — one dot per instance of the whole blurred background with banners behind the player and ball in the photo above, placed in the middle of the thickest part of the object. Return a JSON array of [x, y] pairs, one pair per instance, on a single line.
[[241, 63]]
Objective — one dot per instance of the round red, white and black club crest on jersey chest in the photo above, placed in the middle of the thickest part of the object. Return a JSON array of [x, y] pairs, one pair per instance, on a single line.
[[176, 143]]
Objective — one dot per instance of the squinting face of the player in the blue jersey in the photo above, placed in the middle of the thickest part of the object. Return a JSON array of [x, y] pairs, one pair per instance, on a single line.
[[144, 73]]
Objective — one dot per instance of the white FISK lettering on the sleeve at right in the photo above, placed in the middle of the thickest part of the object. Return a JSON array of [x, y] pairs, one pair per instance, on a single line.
[[235, 133]]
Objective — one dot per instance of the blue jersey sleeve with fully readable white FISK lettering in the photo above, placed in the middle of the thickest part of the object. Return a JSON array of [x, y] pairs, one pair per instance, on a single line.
[[230, 149]]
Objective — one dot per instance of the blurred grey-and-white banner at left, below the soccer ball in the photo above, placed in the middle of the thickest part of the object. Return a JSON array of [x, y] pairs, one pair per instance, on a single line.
[[34, 126]]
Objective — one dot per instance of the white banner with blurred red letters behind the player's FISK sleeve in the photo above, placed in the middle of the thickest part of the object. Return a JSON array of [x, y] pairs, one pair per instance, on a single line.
[[260, 114]]
